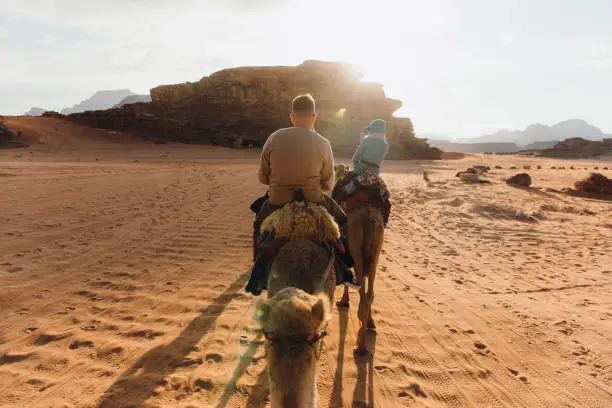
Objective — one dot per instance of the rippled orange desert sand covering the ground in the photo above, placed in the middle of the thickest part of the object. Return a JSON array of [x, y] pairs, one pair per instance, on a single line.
[[123, 265]]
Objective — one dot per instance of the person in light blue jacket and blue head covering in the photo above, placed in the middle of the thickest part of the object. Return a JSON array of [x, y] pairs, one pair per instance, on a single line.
[[372, 150]]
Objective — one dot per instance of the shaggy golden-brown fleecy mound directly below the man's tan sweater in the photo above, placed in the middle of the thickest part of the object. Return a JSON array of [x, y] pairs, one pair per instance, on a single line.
[[303, 219]]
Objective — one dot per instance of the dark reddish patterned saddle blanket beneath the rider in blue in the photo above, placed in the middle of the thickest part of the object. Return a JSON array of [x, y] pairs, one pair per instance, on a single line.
[[355, 190]]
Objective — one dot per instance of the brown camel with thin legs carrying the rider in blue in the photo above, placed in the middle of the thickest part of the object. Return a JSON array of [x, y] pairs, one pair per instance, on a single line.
[[365, 235]]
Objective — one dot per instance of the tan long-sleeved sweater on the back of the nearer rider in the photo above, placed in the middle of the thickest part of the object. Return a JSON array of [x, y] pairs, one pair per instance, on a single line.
[[296, 158]]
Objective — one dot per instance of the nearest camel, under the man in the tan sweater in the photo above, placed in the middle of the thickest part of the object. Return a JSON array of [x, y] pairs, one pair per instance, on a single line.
[[301, 288]]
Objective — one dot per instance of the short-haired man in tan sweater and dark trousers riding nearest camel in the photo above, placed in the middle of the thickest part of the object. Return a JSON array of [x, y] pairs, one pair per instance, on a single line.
[[297, 160]]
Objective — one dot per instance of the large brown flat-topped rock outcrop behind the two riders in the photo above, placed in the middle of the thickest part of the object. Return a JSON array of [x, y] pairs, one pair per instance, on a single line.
[[242, 106]]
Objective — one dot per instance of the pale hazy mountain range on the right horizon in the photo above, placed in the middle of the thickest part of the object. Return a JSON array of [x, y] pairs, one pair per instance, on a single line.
[[541, 133]]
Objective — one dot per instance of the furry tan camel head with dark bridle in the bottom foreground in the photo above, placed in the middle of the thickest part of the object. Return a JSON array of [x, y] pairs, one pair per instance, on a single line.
[[293, 322]]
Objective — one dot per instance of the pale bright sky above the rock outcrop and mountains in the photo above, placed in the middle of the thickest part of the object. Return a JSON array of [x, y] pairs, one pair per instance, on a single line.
[[461, 67]]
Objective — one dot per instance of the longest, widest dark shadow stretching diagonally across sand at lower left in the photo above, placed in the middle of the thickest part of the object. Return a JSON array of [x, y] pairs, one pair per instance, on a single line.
[[137, 383]]
